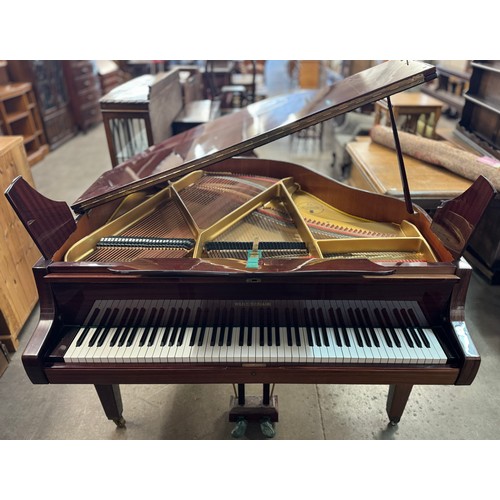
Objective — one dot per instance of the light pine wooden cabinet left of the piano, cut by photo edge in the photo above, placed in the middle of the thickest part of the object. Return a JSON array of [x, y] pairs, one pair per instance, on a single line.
[[18, 253]]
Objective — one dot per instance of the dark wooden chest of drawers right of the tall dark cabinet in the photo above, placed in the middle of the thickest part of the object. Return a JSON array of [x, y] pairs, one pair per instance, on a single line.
[[84, 91]]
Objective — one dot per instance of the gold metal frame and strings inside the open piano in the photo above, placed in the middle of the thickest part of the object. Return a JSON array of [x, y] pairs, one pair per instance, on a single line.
[[229, 209]]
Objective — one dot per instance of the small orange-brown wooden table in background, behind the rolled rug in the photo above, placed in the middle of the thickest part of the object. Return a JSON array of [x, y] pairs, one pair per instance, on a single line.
[[411, 106]]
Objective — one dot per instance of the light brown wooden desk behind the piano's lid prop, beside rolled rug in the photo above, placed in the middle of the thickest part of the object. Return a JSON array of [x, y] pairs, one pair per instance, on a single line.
[[375, 168]]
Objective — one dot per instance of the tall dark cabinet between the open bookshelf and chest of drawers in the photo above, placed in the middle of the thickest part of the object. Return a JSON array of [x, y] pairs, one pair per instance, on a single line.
[[52, 95]]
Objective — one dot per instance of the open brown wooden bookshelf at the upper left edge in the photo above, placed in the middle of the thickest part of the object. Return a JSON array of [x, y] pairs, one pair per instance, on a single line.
[[19, 116]]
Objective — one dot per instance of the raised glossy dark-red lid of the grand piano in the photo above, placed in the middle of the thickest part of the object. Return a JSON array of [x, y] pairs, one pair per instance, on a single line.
[[251, 127]]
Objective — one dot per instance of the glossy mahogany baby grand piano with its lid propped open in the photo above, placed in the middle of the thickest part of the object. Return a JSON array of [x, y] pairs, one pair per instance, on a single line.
[[191, 263]]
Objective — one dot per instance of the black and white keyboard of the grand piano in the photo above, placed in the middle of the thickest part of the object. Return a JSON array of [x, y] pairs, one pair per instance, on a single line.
[[191, 331]]
